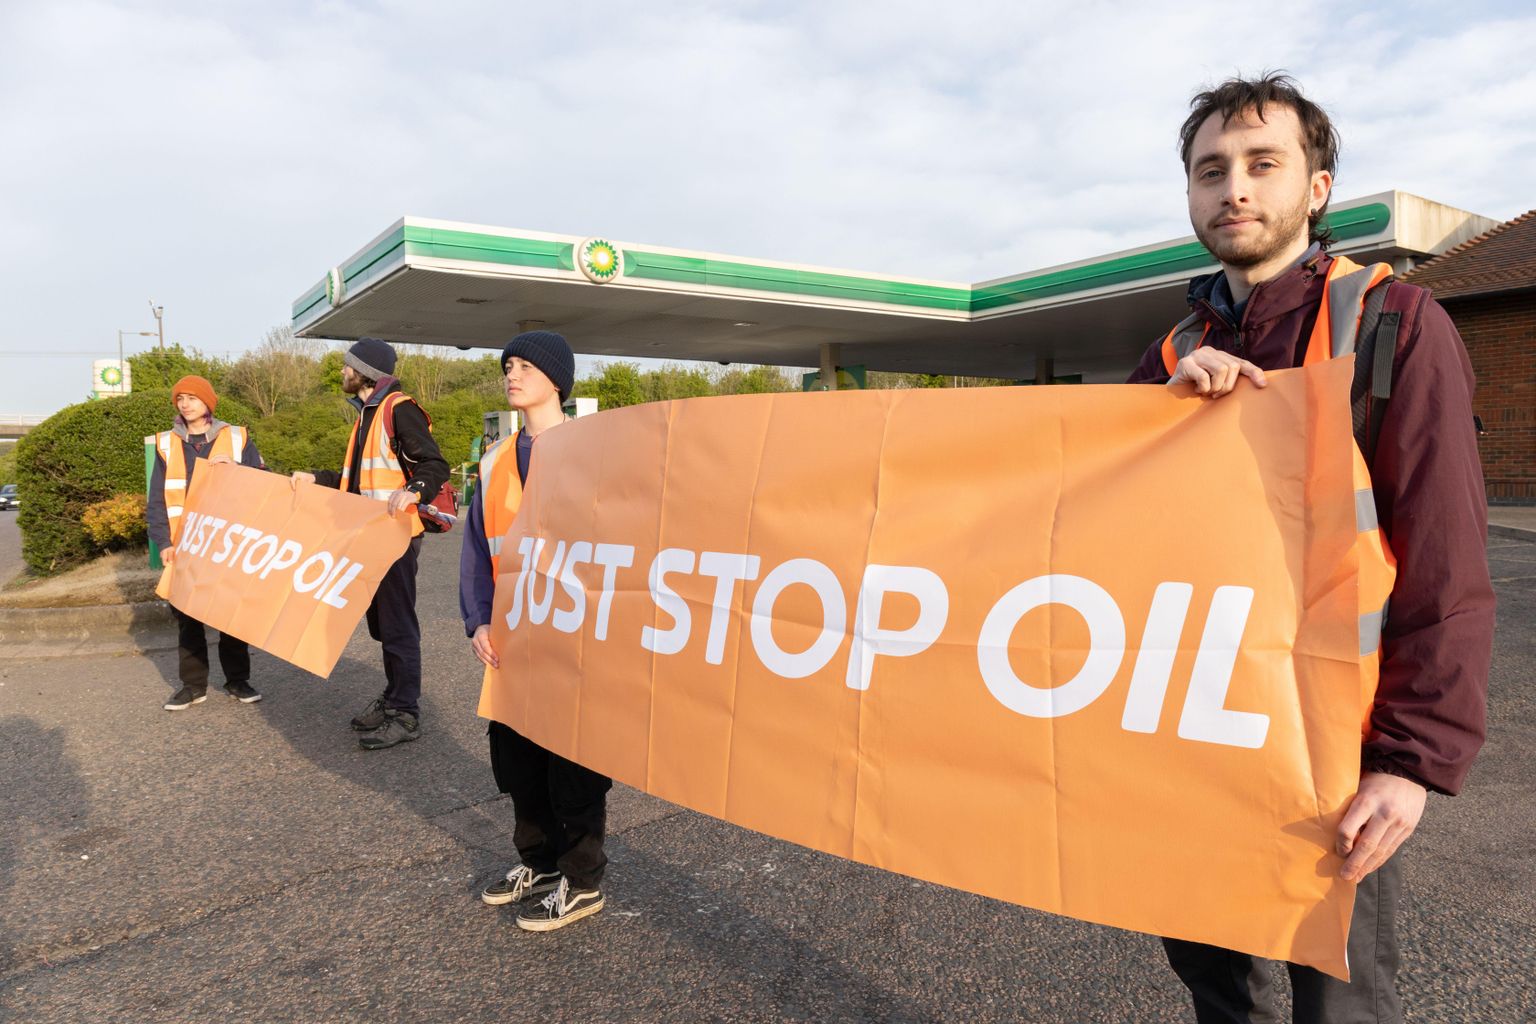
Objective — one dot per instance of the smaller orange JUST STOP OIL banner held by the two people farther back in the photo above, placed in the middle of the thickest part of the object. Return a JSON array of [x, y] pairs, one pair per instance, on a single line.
[[288, 570]]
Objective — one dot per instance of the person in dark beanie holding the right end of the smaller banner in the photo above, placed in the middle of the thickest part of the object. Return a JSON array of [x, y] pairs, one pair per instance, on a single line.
[[403, 474]]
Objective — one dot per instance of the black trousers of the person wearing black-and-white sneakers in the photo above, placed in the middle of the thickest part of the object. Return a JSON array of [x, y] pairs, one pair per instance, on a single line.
[[560, 808]]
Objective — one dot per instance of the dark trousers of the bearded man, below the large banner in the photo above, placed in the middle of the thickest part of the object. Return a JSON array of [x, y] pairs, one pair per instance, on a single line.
[[1234, 988]]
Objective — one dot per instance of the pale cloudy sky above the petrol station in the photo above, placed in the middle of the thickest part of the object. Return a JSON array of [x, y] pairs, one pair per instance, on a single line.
[[219, 157]]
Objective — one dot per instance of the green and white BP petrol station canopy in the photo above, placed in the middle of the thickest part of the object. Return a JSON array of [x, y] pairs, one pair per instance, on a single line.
[[469, 286]]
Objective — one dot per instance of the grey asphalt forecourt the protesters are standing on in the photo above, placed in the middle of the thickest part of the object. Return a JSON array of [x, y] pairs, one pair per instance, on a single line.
[[250, 864]]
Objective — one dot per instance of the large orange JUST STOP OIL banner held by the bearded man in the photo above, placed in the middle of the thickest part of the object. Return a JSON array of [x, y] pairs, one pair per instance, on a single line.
[[1091, 650]]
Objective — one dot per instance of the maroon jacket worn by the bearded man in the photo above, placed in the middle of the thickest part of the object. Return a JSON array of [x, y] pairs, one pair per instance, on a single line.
[[1429, 716]]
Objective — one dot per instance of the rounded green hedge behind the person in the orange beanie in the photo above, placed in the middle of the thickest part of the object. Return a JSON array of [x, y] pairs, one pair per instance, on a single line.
[[81, 457]]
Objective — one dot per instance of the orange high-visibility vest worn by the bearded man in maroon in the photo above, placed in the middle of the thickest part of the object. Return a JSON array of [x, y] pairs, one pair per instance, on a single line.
[[1334, 335]]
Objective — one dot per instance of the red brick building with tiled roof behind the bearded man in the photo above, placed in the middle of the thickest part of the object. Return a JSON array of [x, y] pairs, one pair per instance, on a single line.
[[1489, 288]]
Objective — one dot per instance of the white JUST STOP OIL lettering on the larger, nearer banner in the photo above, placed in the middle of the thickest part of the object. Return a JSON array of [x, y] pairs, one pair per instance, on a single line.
[[1205, 716]]
